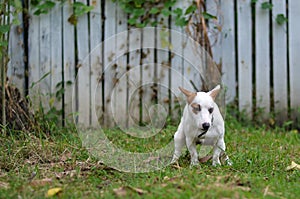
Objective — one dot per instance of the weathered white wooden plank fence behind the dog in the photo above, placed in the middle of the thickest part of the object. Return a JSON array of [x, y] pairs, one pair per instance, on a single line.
[[126, 77]]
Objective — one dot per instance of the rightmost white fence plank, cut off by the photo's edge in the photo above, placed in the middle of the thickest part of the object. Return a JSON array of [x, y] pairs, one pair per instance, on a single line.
[[294, 58]]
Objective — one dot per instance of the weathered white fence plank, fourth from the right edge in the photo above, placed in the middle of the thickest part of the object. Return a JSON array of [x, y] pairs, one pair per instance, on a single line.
[[244, 54]]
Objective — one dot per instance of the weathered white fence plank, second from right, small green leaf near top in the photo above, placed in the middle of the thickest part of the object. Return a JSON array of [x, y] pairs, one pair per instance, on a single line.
[[280, 76]]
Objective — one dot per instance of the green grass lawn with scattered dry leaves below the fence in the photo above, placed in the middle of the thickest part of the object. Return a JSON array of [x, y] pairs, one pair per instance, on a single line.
[[31, 165]]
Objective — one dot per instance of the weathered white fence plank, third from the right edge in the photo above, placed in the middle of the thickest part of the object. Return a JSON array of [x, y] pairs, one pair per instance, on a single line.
[[262, 58]]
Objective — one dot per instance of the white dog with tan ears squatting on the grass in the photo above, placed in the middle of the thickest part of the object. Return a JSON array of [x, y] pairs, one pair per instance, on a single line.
[[201, 123]]
